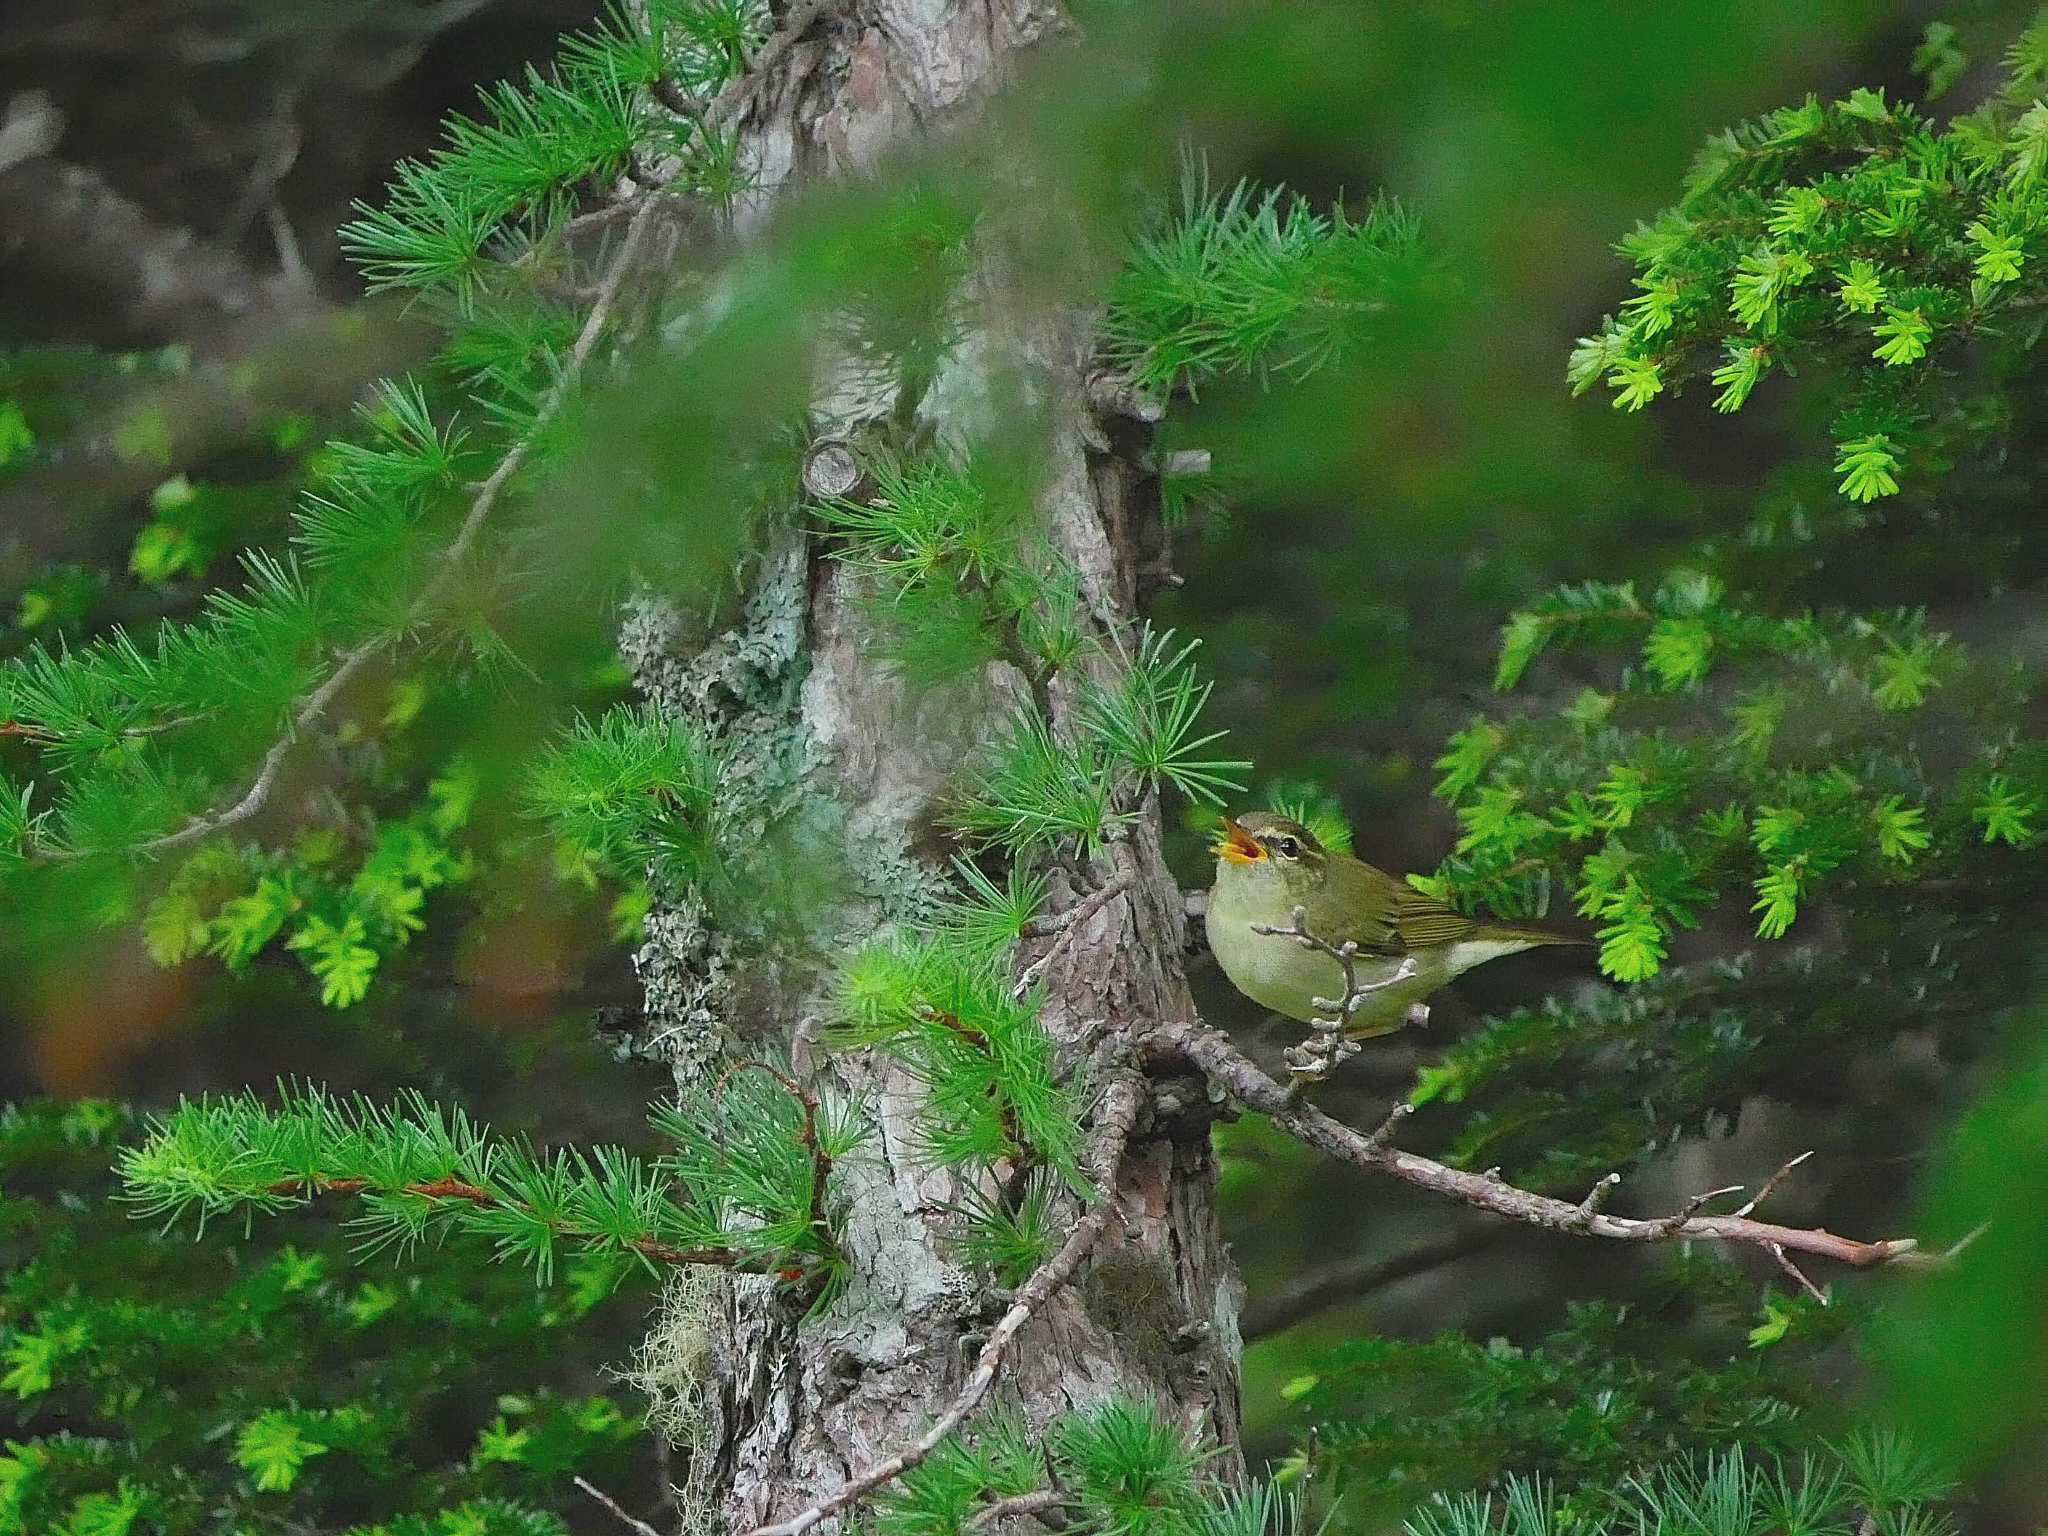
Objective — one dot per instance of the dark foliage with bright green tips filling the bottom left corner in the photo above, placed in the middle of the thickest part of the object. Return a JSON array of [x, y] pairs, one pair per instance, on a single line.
[[179, 1390]]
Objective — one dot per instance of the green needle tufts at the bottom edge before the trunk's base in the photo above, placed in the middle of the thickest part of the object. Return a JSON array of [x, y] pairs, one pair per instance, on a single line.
[[1119, 1469]]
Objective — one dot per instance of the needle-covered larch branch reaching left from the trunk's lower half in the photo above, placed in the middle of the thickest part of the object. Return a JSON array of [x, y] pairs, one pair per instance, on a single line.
[[423, 1172]]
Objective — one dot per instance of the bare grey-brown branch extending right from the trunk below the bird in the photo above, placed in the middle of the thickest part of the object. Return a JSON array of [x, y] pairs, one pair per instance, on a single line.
[[1242, 1078]]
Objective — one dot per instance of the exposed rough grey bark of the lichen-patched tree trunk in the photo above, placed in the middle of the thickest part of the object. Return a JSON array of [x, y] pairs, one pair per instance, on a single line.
[[785, 1408]]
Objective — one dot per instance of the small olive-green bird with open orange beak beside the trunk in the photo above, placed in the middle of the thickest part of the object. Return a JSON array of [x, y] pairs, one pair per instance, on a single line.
[[1410, 945]]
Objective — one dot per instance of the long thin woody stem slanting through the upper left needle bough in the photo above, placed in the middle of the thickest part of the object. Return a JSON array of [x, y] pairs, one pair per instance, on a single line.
[[486, 499]]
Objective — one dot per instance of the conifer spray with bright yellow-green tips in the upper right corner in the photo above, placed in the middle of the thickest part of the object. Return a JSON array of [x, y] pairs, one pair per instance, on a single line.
[[1857, 243]]
